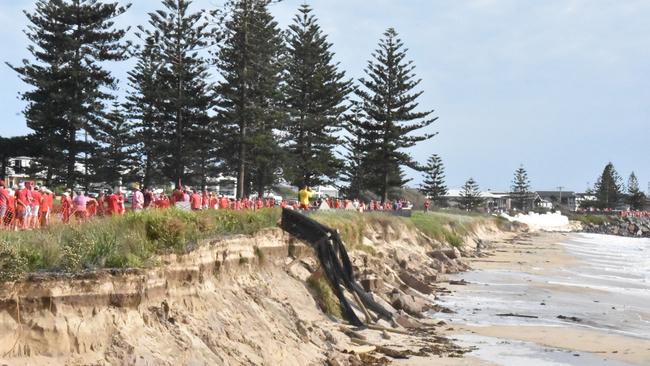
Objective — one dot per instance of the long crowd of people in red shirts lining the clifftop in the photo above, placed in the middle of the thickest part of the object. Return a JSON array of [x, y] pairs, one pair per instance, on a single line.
[[31, 206]]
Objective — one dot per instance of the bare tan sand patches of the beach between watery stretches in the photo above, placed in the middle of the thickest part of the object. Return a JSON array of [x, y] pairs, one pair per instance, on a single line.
[[543, 255]]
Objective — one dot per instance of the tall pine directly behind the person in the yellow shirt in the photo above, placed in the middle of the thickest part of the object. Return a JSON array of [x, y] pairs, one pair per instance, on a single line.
[[314, 93]]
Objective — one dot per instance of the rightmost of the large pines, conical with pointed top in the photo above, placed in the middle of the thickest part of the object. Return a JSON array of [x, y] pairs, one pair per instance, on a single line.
[[389, 100]]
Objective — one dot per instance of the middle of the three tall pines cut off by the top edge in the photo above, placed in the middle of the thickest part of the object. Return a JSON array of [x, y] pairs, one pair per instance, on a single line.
[[188, 133]]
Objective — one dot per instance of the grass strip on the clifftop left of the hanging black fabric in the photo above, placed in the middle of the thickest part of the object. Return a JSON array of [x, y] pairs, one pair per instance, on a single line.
[[130, 241]]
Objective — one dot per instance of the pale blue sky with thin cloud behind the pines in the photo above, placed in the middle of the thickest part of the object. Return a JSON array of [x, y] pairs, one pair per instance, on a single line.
[[560, 86]]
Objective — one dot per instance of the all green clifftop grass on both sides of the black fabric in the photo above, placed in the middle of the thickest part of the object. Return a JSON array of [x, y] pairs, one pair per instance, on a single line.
[[134, 240]]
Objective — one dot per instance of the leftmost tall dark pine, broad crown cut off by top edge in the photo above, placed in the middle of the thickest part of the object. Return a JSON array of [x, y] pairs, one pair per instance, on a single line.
[[70, 40]]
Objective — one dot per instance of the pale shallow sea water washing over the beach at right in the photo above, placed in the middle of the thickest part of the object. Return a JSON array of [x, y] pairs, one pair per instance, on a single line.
[[607, 288]]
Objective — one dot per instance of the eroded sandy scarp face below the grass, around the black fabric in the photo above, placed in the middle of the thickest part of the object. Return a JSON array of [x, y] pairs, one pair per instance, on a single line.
[[239, 300]]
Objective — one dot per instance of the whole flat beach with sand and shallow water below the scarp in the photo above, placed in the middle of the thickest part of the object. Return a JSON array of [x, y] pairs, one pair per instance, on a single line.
[[552, 299]]
